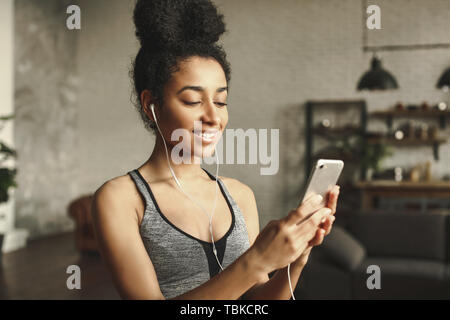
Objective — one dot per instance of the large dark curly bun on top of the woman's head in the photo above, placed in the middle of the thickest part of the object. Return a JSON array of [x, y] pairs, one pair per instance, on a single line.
[[167, 23]]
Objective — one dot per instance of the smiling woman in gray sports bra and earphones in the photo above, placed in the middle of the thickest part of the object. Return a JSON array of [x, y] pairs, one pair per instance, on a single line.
[[154, 238]]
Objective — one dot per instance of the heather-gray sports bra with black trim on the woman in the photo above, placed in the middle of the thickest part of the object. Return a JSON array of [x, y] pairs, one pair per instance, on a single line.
[[181, 261]]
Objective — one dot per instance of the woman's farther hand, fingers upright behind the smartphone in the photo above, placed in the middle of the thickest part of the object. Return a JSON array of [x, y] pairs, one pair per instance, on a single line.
[[324, 228]]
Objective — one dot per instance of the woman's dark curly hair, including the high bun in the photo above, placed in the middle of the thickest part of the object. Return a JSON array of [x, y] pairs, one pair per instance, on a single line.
[[171, 31]]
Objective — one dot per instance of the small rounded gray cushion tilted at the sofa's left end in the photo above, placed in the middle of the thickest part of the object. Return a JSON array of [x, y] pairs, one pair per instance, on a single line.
[[343, 249]]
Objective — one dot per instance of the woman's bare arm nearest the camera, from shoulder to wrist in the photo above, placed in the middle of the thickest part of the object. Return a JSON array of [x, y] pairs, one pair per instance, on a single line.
[[120, 243]]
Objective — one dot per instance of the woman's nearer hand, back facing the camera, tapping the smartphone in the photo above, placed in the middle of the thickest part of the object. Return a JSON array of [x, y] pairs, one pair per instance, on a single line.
[[283, 241]]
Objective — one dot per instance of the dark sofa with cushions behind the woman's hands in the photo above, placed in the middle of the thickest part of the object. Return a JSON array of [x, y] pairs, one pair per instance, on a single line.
[[411, 250]]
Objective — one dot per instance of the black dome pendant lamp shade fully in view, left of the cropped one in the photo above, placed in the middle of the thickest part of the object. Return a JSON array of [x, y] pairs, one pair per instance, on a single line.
[[377, 78]]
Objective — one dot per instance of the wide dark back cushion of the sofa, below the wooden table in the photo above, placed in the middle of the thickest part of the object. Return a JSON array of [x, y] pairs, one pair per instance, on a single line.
[[401, 235]]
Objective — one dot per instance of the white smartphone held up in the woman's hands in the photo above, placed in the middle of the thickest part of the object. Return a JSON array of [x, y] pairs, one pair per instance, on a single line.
[[323, 177]]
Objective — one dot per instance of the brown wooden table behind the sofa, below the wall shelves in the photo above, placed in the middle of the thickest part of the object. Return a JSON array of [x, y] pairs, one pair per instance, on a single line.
[[411, 190]]
